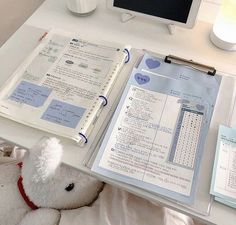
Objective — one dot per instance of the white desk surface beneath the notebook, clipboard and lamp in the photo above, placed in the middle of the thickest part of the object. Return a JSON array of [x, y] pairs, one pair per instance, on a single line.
[[142, 34]]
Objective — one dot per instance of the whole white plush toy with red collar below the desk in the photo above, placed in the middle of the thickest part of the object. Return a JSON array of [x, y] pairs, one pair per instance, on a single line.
[[34, 193]]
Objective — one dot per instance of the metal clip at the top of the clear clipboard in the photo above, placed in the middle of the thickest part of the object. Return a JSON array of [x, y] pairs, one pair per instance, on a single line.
[[198, 66]]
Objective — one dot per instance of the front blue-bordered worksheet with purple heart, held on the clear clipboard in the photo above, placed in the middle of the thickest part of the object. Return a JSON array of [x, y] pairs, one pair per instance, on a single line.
[[156, 138]]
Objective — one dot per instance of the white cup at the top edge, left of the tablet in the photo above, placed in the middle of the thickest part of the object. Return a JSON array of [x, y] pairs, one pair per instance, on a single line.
[[81, 6]]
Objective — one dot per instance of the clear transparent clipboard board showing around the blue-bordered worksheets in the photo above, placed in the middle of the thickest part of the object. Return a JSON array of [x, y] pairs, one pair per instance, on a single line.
[[222, 114]]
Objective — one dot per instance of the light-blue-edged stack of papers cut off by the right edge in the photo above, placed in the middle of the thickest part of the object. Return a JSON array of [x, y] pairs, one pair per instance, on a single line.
[[223, 185]]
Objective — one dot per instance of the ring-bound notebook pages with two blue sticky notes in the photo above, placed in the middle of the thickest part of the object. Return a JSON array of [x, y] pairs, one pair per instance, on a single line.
[[62, 86]]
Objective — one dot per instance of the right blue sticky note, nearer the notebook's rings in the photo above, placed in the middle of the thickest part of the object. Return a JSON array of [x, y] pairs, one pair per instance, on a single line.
[[63, 113]]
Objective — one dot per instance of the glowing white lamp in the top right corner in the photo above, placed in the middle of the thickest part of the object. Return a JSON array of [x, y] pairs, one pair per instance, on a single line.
[[223, 34]]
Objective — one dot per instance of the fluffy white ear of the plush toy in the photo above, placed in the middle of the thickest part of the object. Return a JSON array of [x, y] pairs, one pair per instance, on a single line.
[[44, 158]]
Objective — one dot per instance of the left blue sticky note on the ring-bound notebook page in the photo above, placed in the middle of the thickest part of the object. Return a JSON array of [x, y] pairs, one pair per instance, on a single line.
[[30, 94]]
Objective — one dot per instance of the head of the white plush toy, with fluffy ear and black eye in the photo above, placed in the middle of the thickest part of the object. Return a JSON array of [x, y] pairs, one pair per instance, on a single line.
[[49, 183]]
